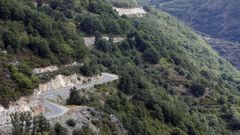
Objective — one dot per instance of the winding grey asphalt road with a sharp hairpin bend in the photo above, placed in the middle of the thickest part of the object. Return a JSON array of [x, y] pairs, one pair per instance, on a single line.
[[54, 110]]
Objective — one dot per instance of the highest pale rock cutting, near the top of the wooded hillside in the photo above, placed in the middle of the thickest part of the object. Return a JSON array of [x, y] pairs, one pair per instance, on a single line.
[[139, 11]]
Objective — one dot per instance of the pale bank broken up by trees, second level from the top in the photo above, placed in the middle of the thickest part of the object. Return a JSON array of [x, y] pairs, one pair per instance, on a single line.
[[90, 41]]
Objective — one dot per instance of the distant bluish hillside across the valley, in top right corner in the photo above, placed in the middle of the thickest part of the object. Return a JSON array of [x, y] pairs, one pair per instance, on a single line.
[[218, 18]]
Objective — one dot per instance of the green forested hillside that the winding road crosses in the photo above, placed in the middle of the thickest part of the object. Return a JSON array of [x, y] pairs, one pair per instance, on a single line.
[[171, 80]]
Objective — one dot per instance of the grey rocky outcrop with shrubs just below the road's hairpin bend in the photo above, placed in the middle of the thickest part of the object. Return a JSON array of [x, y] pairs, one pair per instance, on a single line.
[[87, 116]]
